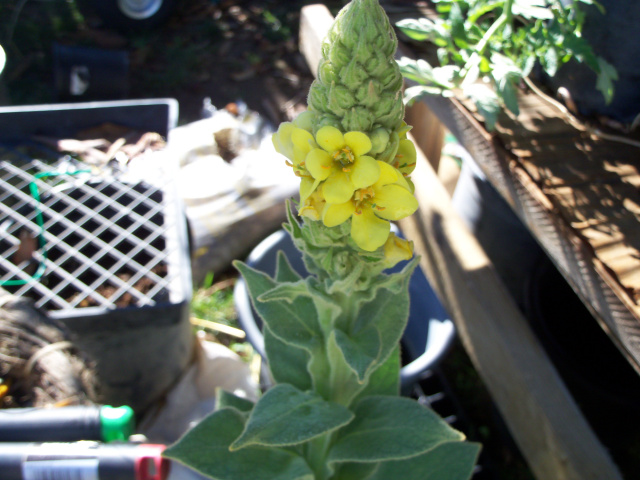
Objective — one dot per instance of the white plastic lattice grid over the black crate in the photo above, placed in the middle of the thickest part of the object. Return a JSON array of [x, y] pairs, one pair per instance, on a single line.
[[71, 240]]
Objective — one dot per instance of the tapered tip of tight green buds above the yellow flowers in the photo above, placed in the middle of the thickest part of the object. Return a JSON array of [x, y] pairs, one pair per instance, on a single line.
[[358, 79]]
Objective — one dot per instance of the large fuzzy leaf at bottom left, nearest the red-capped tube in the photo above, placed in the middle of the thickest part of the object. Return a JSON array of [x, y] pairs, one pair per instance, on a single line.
[[205, 448]]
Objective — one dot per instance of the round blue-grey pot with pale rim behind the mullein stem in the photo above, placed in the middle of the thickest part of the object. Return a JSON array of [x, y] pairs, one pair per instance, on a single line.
[[429, 332]]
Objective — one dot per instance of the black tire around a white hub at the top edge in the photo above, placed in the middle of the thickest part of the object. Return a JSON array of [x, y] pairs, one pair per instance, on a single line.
[[113, 16]]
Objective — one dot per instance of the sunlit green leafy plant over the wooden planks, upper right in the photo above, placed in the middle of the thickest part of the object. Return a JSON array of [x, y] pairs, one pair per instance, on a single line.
[[487, 47]]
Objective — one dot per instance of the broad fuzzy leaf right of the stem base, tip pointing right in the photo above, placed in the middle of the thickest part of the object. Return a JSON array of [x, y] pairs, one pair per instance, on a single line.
[[390, 428]]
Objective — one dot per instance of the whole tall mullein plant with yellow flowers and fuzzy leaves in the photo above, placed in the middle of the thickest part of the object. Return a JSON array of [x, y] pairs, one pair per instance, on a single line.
[[332, 338]]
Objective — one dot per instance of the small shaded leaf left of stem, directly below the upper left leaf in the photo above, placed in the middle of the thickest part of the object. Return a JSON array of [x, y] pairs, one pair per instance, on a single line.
[[288, 364]]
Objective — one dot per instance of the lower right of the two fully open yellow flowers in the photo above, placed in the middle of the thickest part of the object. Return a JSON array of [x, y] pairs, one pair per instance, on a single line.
[[371, 208]]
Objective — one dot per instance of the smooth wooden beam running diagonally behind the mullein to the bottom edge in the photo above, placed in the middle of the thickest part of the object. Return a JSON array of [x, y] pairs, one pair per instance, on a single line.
[[543, 418]]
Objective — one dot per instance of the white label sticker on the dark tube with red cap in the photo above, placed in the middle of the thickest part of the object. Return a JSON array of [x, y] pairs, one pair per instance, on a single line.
[[61, 469]]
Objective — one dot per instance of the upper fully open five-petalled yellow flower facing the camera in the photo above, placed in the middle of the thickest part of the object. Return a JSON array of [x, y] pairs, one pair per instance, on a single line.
[[342, 163]]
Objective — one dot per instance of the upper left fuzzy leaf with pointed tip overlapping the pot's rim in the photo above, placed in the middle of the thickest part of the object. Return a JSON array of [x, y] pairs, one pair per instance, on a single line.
[[294, 321]]
